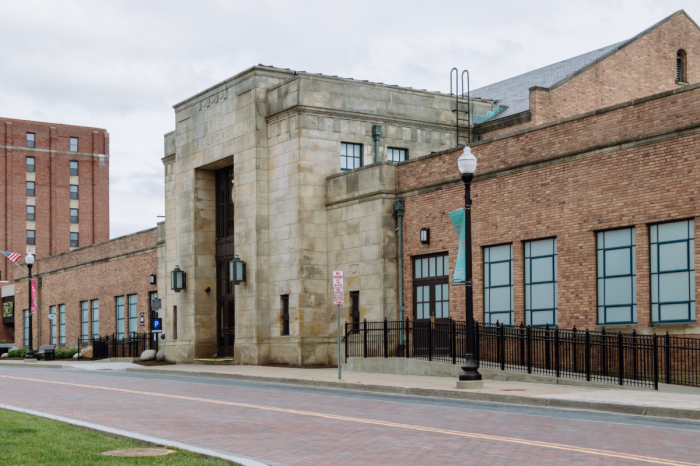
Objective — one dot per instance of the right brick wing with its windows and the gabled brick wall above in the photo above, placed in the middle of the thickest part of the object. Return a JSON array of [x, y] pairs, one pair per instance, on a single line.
[[585, 217]]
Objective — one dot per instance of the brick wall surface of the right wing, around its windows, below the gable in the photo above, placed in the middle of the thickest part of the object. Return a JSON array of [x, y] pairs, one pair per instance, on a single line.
[[600, 185]]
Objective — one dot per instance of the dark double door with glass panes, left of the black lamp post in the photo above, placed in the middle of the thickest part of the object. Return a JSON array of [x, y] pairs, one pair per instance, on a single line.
[[431, 305]]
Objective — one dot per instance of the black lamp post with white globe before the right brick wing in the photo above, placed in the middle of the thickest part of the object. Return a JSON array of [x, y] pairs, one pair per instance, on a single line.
[[467, 167]]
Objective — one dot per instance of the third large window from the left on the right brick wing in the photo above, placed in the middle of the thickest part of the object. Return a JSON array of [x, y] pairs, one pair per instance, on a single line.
[[617, 277]]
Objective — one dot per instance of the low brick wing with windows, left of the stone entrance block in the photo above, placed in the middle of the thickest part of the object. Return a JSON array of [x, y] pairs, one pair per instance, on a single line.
[[96, 290]]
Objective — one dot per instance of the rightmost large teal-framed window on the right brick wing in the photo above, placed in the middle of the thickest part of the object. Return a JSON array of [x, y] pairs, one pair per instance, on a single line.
[[672, 251]]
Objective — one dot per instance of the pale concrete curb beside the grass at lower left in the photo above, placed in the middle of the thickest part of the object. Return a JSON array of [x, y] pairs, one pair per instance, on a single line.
[[140, 438]]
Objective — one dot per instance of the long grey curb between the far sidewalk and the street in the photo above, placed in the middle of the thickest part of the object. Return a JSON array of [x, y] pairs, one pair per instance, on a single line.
[[635, 410]]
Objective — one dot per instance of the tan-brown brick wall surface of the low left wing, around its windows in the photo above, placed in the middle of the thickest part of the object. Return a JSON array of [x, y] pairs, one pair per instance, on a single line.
[[119, 267]]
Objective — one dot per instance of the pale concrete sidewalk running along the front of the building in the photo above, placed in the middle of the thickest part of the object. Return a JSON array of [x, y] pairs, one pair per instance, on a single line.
[[612, 399]]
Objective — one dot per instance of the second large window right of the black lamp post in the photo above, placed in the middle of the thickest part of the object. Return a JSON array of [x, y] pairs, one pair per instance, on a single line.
[[541, 282]]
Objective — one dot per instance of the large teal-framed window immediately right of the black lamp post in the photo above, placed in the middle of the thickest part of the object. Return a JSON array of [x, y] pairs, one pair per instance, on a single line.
[[498, 284]]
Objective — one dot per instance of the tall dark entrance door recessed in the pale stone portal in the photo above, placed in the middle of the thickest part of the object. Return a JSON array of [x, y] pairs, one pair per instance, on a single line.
[[225, 290]]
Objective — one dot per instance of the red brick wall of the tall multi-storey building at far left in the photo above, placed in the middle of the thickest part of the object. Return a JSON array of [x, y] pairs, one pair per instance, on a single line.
[[52, 180]]
